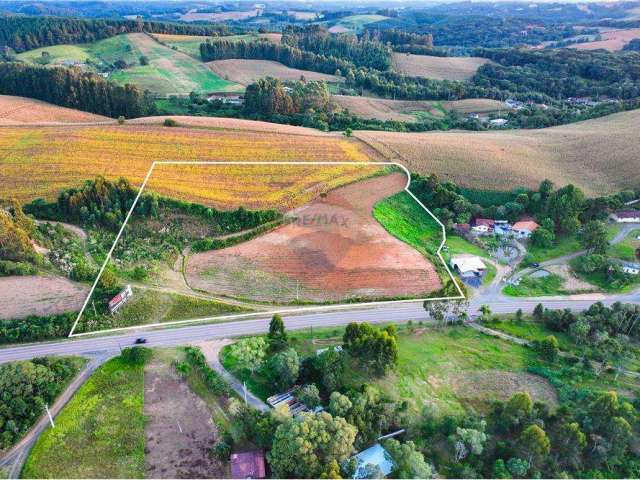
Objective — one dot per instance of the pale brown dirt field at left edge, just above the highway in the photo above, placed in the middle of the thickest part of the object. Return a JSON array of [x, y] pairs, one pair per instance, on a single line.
[[31, 295]]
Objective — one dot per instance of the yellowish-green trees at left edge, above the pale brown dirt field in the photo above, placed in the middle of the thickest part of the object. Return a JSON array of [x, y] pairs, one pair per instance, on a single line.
[[17, 253]]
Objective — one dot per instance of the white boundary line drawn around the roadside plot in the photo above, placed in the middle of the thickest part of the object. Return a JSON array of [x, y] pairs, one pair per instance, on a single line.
[[282, 311]]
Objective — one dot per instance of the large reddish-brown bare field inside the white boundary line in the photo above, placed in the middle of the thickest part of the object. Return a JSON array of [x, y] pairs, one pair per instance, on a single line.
[[334, 251]]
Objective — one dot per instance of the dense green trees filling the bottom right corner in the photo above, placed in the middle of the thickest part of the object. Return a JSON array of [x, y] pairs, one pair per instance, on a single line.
[[521, 438]]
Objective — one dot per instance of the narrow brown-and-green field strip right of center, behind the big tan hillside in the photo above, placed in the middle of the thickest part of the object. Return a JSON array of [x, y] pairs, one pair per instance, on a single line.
[[409, 111]]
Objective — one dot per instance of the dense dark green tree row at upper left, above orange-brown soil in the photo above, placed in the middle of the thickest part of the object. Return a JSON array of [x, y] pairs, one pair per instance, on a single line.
[[72, 88]]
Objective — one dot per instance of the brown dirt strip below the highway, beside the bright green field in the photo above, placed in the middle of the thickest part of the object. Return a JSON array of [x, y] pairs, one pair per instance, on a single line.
[[179, 432]]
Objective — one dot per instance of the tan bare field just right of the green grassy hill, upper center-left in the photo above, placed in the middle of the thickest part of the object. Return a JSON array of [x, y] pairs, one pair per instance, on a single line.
[[249, 71]]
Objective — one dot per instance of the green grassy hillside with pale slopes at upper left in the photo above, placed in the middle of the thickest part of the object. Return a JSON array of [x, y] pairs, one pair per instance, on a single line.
[[169, 72]]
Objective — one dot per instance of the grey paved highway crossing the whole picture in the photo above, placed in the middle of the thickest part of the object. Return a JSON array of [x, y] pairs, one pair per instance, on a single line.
[[384, 313]]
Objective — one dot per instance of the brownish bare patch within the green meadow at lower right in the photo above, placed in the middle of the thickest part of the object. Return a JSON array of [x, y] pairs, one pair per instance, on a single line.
[[490, 385]]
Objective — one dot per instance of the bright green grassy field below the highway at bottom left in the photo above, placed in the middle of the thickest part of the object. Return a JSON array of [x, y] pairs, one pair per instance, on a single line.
[[99, 433]]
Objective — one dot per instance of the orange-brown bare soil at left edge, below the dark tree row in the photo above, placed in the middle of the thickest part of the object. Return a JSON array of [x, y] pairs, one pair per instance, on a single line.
[[22, 111]]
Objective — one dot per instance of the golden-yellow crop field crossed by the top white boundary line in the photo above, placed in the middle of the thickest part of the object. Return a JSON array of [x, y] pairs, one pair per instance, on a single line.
[[41, 162]]
